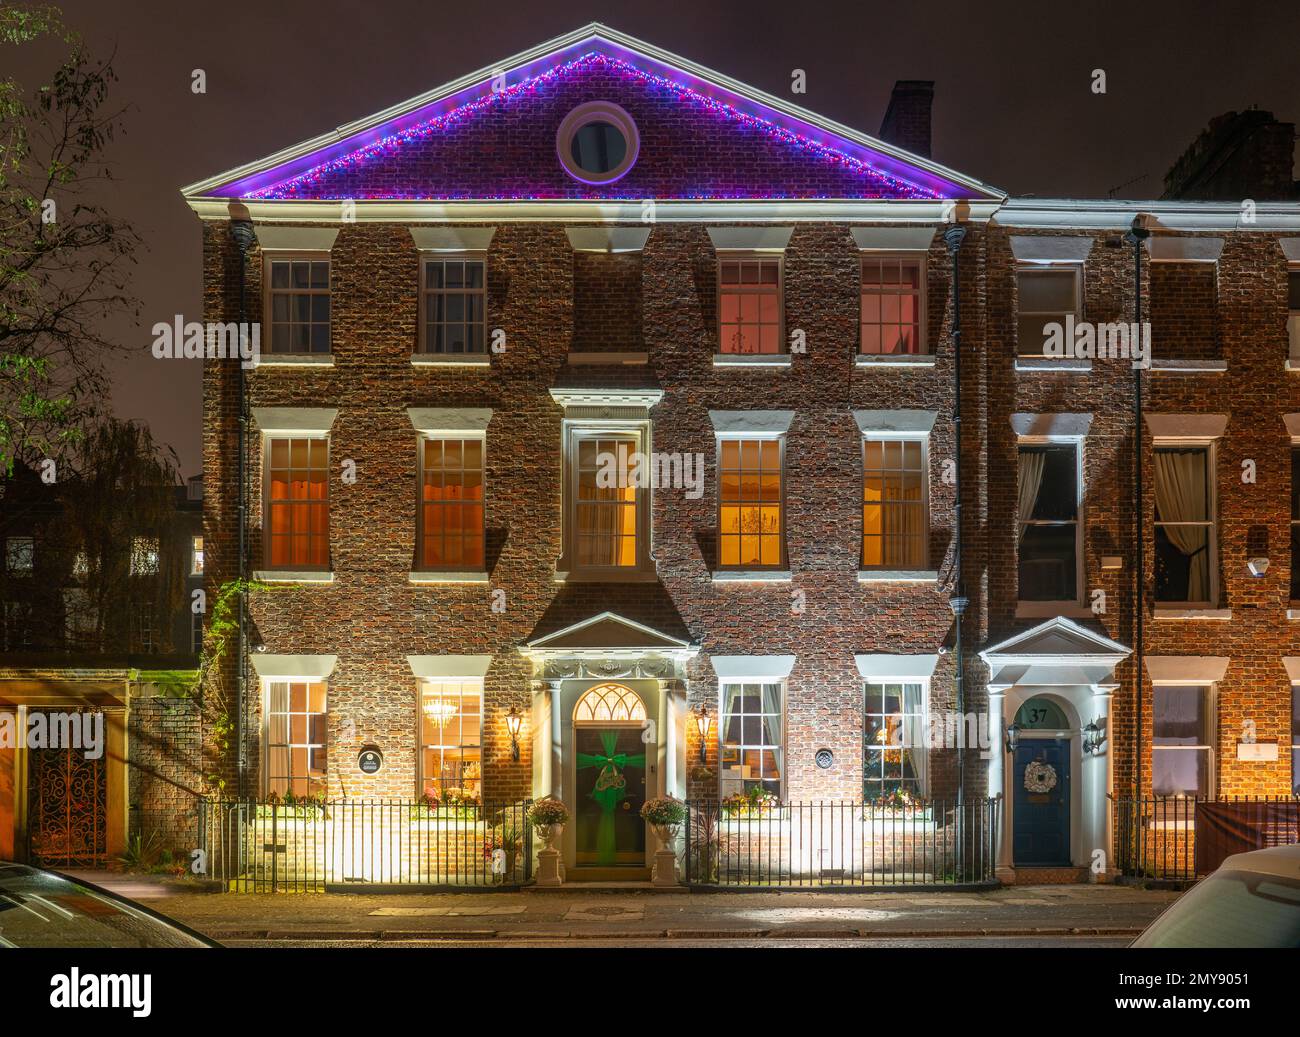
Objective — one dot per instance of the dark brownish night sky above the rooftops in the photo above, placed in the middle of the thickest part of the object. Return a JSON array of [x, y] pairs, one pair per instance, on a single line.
[[1013, 99]]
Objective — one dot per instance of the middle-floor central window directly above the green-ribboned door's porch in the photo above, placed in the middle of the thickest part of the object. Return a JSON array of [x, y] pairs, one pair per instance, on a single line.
[[605, 510]]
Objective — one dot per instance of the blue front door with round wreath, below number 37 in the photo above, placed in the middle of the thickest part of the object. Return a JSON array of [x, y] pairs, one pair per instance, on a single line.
[[1042, 813]]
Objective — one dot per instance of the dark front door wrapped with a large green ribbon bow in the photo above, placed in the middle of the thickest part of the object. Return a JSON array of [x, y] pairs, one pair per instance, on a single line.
[[612, 787]]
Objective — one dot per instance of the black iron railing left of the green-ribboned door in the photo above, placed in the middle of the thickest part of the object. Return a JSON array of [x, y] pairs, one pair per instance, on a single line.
[[315, 847]]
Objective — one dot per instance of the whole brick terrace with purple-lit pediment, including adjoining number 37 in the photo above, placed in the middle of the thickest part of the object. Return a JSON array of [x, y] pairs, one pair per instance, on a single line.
[[479, 309]]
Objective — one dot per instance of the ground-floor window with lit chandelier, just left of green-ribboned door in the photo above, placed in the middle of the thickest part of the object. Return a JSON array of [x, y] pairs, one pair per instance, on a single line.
[[452, 739]]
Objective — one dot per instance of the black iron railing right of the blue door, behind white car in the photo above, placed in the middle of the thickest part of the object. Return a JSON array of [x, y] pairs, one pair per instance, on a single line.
[[1178, 839]]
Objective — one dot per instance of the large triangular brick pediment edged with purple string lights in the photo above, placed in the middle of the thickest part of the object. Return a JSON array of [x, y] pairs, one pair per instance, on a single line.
[[492, 136]]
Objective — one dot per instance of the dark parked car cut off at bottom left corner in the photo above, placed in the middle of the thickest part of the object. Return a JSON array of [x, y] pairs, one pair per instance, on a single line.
[[42, 909]]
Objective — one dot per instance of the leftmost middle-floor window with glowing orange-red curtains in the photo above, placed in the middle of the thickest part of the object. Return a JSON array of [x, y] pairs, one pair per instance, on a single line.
[[297, 527]]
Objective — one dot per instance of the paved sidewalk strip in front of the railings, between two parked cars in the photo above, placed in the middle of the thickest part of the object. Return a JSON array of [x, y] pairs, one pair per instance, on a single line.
[[578, 914]]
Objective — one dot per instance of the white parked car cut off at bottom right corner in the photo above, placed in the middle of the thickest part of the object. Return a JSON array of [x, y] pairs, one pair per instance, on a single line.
[[1253, 901]]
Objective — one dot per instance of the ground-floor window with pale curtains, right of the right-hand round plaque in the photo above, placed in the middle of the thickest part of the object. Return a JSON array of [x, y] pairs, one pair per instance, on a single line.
[[896, 756]]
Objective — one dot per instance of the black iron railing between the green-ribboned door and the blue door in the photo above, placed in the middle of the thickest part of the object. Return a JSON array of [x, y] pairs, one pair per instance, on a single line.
[[840, 845]]
